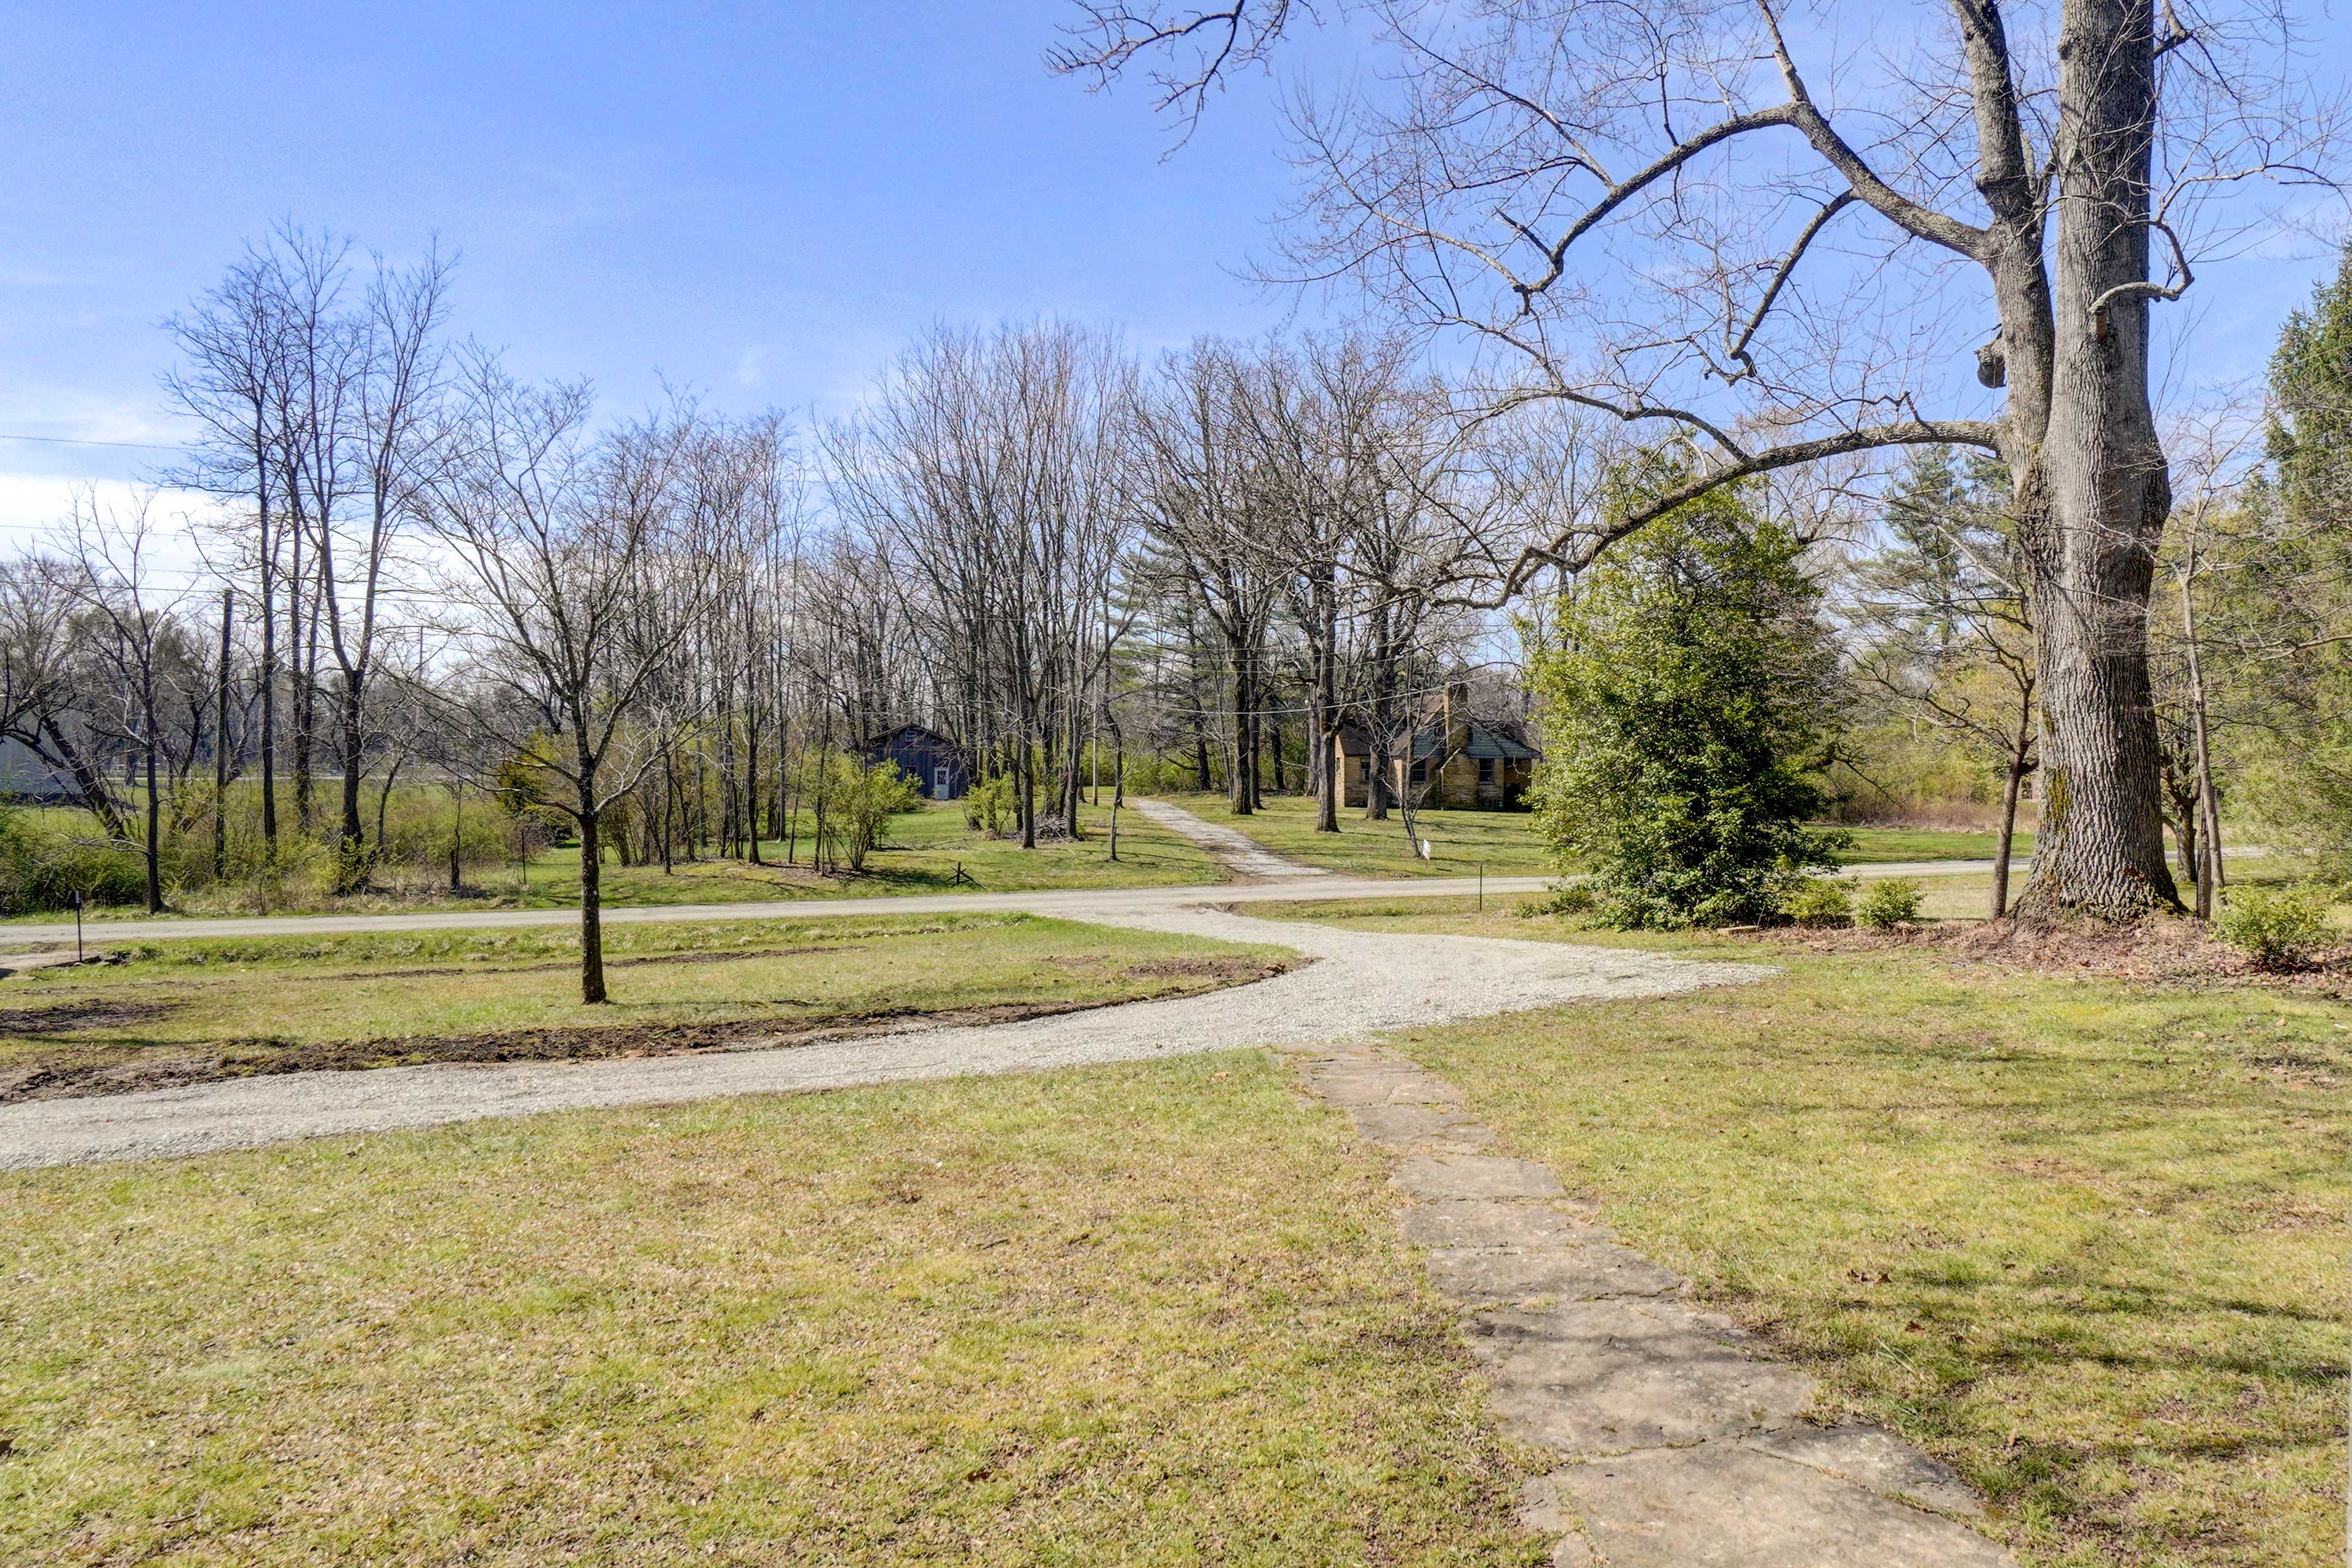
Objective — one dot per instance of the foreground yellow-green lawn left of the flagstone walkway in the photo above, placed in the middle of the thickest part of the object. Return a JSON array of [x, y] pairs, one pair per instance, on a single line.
[[1125, 1315]]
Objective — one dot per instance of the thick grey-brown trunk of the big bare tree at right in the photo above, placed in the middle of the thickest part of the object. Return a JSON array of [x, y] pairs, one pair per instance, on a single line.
[[2094, 490]]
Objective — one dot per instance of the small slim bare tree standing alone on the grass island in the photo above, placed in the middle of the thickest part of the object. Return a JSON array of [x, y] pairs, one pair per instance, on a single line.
[[554, 542]]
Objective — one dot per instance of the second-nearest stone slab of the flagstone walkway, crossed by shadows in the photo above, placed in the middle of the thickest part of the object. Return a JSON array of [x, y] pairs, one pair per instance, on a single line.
[[1629, 1374]]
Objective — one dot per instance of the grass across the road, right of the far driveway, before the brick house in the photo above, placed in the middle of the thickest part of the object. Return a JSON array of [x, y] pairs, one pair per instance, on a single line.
[[1504, 840]]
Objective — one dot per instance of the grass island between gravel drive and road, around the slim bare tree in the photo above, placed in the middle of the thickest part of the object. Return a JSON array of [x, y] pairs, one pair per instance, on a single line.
[[260, 1005]]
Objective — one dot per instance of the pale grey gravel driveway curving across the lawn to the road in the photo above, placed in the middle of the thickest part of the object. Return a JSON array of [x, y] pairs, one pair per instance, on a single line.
[[1361, 984]]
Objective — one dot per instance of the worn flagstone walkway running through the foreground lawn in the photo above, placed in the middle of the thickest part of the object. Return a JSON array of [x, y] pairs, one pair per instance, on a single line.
[[1681, 1442]]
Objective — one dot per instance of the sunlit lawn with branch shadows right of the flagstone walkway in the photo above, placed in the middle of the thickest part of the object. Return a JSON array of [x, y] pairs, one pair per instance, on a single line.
[[2080, 1238]]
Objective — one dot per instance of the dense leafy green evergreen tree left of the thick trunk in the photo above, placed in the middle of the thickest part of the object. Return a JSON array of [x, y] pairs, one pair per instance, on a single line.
[[1685, 716]]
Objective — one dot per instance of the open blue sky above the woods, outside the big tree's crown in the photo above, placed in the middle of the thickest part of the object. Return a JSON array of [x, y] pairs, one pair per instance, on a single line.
[[756, 201]]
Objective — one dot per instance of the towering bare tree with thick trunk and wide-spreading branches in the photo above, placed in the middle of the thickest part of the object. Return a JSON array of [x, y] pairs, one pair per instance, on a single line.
[[1662, 220]]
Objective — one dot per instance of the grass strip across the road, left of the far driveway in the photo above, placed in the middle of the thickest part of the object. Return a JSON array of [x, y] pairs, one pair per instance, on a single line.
[[923, 855]]
